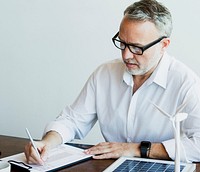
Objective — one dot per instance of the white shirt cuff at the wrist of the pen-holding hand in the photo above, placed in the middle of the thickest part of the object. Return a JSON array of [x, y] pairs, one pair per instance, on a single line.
[[60, 129]]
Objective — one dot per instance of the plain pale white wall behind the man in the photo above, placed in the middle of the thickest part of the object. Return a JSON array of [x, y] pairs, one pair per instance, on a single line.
[[48, 49]]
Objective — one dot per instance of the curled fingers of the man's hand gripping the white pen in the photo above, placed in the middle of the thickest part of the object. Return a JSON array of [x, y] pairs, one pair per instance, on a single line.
[[31, 155]]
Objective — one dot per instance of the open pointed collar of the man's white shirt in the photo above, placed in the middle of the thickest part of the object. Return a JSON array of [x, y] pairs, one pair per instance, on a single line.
[[159, 76]]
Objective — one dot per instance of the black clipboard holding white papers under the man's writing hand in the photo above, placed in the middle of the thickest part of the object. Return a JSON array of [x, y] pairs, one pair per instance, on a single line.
[[61, 157]]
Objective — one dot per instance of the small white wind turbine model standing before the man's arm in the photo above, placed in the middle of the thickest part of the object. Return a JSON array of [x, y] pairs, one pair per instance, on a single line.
[[176, 119]]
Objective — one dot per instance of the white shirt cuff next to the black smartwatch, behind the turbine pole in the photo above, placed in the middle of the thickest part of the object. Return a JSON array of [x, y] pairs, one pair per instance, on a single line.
[[170, 148]]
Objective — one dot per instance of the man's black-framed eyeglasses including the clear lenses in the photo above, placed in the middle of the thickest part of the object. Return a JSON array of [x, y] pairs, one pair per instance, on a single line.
[[134, 48]]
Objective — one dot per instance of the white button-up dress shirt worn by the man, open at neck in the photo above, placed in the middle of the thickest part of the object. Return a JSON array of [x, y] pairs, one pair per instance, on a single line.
[[126, 117]]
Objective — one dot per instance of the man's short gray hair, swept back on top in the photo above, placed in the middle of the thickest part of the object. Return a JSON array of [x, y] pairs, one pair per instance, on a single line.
[[153, 11]]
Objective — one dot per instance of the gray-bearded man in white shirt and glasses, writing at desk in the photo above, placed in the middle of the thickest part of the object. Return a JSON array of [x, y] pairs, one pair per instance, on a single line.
[[120, 95]]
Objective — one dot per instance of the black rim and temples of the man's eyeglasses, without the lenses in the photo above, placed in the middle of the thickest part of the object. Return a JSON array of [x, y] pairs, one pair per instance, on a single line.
[[141, 48]]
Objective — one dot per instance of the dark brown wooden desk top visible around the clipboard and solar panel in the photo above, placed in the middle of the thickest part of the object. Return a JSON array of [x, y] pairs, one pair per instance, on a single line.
[[14, 145]]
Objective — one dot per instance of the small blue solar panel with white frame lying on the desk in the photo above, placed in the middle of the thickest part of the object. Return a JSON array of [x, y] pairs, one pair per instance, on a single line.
[[125, 164]]
